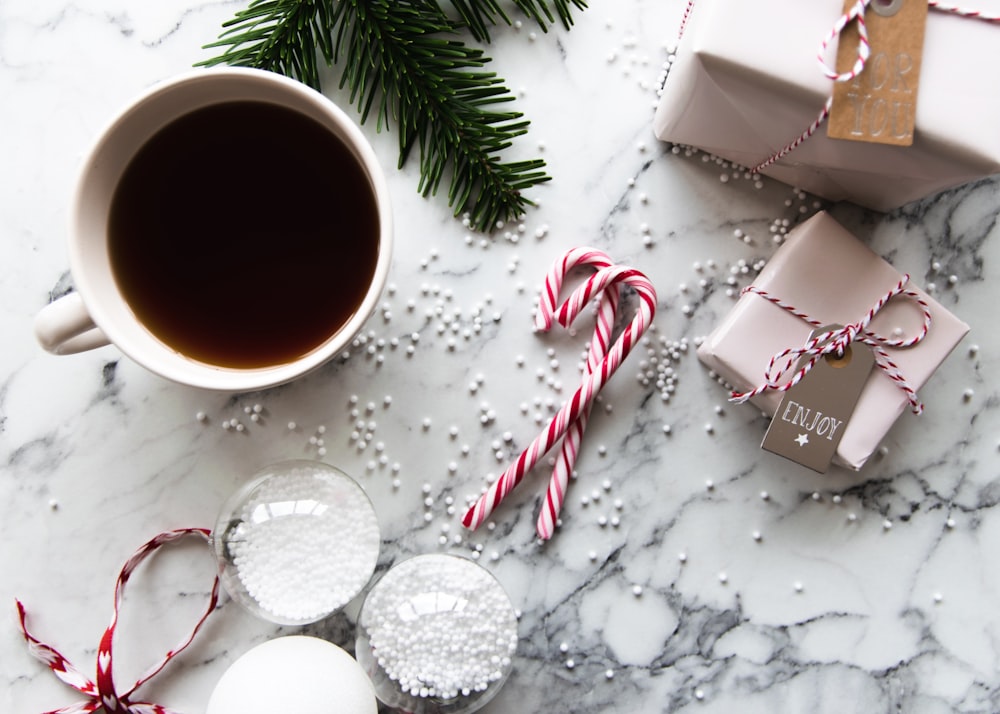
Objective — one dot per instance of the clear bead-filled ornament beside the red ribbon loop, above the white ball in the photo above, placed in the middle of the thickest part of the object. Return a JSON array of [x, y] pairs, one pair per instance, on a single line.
[[298, 542]]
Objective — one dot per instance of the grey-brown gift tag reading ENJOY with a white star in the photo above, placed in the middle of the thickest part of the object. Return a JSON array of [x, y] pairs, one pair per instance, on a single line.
[[811, 419]]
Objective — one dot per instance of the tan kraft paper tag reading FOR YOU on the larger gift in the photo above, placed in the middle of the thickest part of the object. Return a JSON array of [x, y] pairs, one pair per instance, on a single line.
[[880, 104]]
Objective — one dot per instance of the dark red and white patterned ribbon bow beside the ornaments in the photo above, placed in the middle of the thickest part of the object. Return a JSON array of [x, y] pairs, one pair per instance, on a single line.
[[102, 693]]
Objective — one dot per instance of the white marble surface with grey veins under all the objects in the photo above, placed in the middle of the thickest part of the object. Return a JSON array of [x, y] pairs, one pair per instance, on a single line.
[[863, 592]]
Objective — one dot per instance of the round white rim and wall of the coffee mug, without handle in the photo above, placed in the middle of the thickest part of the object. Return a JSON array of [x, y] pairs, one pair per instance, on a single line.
[[157, 356]]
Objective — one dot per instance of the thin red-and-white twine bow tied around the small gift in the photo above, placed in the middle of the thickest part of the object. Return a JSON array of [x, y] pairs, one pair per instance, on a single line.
[[836, 342]]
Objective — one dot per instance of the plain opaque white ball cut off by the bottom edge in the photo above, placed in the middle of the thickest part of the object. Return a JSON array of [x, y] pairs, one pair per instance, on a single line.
[[305, 675]]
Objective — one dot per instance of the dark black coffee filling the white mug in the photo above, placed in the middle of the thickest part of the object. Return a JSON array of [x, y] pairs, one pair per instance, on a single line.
[[244, 234]]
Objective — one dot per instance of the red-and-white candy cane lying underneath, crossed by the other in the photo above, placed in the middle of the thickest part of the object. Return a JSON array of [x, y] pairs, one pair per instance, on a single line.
[[607, 308]]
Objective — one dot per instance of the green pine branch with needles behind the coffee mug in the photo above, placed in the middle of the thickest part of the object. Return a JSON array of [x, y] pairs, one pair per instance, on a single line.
[[403, 62]]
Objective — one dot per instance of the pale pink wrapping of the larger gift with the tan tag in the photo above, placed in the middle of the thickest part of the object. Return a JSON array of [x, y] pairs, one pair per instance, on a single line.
[[746, 82]]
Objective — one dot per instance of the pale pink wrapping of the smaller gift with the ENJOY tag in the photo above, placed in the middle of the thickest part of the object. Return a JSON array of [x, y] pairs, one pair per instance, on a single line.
[[824, 271]]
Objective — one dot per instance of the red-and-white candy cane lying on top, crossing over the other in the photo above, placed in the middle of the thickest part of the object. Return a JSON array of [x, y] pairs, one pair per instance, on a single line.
[[588, 390]]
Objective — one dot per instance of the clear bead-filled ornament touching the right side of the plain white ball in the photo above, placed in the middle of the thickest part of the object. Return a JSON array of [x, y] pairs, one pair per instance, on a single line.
[[436, 635]]
